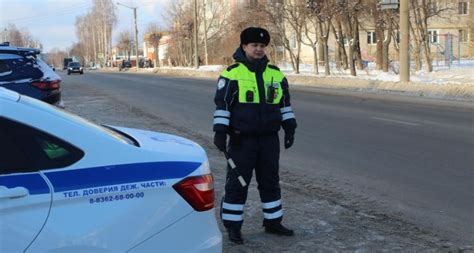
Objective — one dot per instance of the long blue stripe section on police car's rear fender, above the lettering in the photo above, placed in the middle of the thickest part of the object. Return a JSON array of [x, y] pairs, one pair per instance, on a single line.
[[68, 180]]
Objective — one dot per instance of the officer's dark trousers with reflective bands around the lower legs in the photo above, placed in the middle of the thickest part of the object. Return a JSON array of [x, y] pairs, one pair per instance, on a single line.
[[262, 153]]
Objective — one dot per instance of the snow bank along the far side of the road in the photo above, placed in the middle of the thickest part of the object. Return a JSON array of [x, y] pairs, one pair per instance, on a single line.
[[454, 82]]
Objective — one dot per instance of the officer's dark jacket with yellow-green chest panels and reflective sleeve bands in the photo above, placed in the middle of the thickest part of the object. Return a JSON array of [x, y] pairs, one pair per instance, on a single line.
[[252, 102]]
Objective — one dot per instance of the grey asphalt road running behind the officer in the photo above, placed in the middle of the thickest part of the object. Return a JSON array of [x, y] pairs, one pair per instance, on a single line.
[[412, 156]]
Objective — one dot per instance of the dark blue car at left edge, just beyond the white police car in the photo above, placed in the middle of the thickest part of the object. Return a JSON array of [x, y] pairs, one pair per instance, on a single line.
[[22, 70]]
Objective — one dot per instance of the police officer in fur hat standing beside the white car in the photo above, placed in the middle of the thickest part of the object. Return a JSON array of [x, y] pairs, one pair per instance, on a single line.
[[252, 103]]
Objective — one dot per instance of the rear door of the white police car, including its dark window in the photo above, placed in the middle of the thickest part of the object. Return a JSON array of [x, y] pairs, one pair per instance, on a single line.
[[25, 192]]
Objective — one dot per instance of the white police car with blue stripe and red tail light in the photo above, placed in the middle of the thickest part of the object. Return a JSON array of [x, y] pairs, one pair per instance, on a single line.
[[68, 185]]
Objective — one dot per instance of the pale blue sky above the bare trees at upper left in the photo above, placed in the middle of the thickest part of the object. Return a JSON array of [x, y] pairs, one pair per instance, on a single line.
[[52, 21]]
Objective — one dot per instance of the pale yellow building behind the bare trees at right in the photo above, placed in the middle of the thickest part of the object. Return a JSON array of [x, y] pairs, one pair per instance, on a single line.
[[450, 33]]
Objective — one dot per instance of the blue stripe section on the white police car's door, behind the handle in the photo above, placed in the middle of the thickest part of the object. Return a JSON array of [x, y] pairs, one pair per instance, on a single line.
[[31, 181]]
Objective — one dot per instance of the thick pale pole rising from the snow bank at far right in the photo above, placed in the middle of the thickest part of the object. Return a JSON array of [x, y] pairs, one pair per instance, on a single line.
[[404, 42]]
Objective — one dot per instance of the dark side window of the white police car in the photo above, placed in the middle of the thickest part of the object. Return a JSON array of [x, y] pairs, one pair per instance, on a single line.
[[27, 149]]
